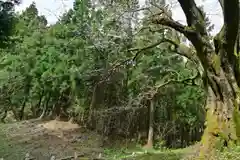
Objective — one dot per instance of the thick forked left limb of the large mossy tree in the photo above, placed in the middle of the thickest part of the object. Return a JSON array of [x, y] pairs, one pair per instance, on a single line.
[[195, 30]]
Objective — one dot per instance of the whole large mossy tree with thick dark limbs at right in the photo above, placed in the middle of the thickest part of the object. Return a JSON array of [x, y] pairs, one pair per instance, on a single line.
[[220, 70]]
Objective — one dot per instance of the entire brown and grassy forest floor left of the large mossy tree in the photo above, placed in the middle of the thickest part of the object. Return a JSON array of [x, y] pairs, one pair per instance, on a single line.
[[62, 139]]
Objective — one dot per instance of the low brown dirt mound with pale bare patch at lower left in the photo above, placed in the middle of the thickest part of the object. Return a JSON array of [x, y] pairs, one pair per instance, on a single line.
[[45, 139]]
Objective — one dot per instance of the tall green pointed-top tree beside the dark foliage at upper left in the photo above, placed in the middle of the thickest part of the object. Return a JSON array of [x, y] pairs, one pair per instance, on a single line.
[[28, 26]]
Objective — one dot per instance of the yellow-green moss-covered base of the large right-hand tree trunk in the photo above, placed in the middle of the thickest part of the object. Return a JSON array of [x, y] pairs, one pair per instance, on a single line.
[[222, 130]]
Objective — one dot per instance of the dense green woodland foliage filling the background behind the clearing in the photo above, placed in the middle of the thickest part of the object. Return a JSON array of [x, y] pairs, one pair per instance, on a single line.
[[84, 62]]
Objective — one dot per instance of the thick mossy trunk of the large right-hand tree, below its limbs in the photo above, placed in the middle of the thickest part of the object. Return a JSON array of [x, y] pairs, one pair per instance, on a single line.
[[222, 106]]
